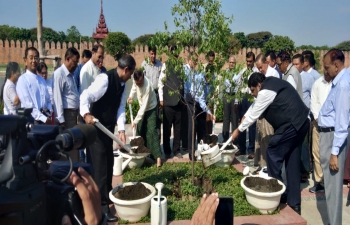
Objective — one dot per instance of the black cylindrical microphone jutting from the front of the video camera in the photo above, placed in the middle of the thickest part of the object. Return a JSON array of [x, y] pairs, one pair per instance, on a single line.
[[80, 136]]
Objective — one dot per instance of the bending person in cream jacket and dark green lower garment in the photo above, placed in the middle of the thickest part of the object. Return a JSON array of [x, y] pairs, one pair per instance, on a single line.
[[146, 119]]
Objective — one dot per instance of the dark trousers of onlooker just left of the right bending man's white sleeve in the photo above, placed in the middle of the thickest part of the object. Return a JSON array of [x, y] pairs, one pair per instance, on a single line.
[[230, 117]]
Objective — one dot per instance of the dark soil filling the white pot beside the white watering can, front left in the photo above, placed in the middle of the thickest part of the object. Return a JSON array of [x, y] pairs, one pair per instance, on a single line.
[[132, 192]]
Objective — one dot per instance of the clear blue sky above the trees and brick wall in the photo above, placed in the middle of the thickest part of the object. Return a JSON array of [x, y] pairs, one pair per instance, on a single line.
[[306, 22]]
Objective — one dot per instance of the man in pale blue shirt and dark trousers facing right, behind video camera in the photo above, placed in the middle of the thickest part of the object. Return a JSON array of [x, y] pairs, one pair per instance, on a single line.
[[66, 95]]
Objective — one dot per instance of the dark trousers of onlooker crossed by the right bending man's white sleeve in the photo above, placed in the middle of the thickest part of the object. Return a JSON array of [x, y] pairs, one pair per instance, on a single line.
[[242, 109]]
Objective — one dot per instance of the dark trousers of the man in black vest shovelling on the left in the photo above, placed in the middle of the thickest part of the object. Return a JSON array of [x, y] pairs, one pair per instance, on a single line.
[[102, 160]]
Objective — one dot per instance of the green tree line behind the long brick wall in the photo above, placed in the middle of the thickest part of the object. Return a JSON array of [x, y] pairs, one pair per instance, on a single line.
[[118, 43]]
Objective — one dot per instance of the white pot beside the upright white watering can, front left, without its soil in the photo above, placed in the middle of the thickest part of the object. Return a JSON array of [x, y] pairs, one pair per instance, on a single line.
[[132, 210]]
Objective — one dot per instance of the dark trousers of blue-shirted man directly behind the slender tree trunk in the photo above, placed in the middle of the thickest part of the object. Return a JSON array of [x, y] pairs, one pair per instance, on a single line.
[[199, 122]]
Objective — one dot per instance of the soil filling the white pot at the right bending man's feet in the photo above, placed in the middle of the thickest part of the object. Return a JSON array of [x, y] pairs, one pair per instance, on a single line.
[[262, 185]]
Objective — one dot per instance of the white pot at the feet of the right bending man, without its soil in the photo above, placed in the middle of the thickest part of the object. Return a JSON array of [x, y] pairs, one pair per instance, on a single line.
[[265, 202]]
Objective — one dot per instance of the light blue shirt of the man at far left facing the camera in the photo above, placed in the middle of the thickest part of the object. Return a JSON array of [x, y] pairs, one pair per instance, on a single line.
[[32, 92]]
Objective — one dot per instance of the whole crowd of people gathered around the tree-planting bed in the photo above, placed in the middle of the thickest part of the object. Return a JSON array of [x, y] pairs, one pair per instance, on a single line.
[[78, 93]]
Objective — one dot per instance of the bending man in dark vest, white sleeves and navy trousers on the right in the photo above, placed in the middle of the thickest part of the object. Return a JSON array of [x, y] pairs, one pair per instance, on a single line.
[[280, 104]]
